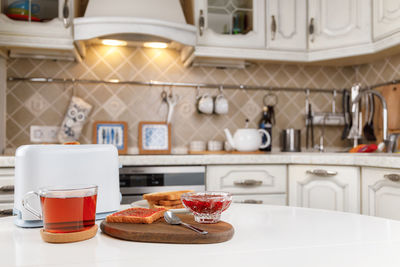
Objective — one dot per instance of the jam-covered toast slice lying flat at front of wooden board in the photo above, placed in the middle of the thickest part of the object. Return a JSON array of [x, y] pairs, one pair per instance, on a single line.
[[136, 215]]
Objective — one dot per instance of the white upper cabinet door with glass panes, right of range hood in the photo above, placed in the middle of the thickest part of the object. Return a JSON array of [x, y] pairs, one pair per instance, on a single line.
[[230, 23]]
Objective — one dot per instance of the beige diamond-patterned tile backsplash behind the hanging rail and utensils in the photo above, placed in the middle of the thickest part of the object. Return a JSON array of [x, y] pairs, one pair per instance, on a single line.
[[46, 103]]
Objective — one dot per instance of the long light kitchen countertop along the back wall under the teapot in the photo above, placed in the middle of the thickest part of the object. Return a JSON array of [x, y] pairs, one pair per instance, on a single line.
[[352, 159]]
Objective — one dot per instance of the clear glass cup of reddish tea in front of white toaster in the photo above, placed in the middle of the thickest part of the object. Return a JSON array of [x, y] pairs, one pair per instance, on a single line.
[[65, 209]]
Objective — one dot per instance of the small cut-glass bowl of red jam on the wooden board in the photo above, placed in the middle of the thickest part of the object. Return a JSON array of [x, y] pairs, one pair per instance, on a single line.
[[207, 206]]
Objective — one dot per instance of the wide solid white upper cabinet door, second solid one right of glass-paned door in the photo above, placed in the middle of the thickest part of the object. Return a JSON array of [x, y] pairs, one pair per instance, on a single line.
[[338, 23]]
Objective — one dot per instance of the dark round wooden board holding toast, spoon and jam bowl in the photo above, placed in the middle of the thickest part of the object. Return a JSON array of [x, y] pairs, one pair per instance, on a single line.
[[161, 232]]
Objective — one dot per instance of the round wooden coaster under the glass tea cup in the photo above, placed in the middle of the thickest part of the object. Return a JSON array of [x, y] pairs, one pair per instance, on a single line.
[[69, 237]]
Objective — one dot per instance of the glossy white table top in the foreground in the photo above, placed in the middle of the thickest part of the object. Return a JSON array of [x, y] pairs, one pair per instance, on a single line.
[[264, 236]]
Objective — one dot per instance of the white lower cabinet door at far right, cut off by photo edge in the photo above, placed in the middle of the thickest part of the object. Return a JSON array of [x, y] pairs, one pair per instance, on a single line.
[[381, 192]]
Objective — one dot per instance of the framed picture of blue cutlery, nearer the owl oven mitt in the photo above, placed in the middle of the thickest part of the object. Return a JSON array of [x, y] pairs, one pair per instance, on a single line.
[[111, 132]]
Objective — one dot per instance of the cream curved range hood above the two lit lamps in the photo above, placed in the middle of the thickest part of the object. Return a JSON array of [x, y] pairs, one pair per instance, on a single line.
[[135, 21]]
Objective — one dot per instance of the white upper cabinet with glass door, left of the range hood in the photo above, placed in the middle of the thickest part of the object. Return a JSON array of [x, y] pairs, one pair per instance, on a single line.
[[50, 38]]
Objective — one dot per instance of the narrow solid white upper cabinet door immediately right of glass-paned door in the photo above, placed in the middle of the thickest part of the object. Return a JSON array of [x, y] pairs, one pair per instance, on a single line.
[[286, 24]]
